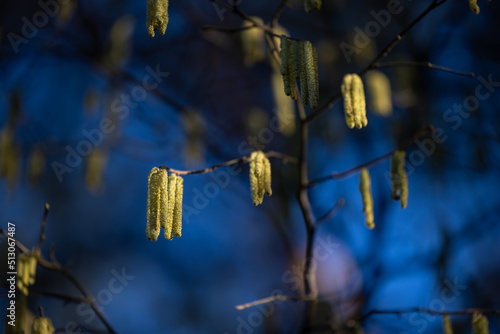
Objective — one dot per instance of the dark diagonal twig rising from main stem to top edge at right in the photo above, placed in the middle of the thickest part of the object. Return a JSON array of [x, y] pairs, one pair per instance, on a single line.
[[331, 102]]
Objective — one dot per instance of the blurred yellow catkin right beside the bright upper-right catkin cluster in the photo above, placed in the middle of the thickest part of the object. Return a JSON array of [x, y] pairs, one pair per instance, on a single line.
[[379, 92]]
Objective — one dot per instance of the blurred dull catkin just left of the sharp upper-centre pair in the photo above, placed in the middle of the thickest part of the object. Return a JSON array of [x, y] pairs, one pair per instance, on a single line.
[[253, 42]]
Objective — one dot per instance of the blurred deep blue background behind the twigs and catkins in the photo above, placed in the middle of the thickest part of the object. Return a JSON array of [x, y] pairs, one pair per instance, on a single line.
[[62, 85]]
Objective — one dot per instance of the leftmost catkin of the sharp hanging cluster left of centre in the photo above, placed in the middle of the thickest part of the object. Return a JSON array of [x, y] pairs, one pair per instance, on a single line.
[[154, 202]]
